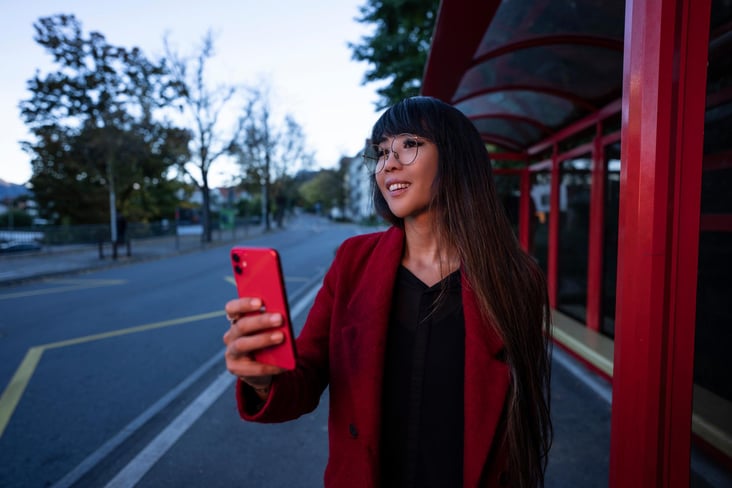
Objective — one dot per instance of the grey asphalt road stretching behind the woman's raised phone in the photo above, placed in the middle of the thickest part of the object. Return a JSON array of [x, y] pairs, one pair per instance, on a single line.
[[107, 360]]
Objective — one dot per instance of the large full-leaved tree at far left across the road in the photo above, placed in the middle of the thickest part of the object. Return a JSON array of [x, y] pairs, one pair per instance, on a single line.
[[95, 126]]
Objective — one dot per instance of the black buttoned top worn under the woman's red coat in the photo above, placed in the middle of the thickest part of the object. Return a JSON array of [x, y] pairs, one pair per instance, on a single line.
[[422, 402]]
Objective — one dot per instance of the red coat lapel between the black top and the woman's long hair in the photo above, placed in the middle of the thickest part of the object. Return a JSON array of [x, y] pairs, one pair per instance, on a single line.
[[486, 384]]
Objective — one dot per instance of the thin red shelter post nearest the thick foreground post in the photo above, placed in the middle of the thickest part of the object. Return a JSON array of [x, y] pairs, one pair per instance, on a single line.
[[596, 233]]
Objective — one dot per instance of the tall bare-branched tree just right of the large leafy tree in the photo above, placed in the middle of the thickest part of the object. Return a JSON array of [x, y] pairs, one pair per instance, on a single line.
[[204, 105]]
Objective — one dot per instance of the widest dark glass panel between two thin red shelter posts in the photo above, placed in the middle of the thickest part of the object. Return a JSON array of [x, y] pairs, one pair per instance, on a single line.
[[574, 233]]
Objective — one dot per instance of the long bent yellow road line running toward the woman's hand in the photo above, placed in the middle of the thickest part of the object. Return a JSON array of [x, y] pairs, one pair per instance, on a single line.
[[18, 383]]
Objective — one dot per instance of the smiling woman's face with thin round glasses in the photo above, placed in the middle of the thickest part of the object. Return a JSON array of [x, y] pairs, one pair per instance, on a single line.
[[409, 169]]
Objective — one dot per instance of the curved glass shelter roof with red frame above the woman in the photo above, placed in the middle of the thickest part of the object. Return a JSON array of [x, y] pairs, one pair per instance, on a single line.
[[524, 69]]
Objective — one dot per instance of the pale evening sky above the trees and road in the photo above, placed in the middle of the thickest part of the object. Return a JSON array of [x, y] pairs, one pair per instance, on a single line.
[[298, 48]]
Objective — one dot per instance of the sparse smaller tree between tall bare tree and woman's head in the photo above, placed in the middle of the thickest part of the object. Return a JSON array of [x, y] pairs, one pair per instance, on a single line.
[[269, 154]]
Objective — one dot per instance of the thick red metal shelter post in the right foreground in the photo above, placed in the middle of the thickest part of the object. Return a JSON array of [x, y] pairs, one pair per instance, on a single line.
[[664, 85]]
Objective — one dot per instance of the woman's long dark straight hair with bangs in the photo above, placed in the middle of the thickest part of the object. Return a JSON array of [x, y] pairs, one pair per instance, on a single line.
[[509, 286]]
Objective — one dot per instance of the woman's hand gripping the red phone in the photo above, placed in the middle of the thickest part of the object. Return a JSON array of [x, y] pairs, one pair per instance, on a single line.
[[251, 331]]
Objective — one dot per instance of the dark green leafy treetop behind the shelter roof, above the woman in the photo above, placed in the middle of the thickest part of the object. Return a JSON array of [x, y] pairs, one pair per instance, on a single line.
[[398, 48]]
